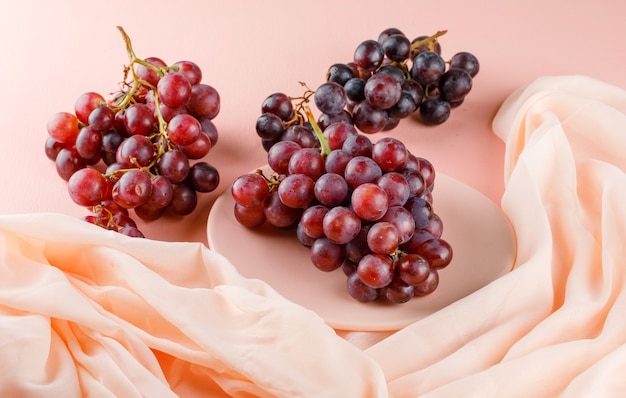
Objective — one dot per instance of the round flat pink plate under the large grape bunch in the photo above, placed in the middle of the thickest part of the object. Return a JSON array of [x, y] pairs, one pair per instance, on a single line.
[[481, 237]]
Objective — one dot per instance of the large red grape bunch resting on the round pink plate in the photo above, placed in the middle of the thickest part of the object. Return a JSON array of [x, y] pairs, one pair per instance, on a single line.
[[365, 207]]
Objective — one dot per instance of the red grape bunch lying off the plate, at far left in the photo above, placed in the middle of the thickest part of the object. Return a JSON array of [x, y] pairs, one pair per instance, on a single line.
[[141, 150]]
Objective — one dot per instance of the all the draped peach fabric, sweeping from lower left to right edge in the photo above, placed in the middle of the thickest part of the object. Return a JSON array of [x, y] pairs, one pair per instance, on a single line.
[[86, 312]]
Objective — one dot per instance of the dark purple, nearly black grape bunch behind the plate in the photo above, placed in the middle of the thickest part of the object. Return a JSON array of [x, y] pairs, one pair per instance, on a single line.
[[394, 77]]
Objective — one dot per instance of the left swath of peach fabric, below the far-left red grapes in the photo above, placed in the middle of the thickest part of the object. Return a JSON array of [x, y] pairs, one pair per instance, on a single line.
[[118, 316]]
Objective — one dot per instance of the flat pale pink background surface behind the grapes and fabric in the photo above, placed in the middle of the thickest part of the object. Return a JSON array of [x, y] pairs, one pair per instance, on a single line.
[[54, 51]]
